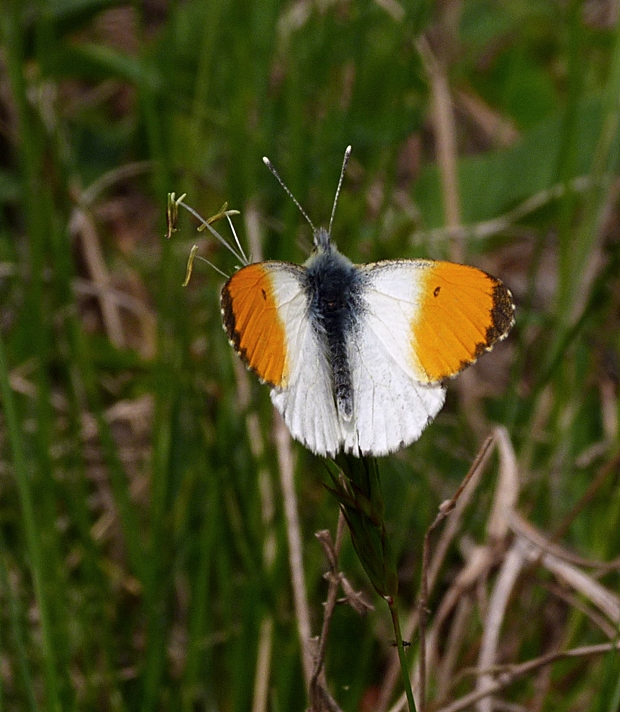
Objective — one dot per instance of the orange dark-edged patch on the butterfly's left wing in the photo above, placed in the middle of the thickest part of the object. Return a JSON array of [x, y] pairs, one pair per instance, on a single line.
[[253, 325]]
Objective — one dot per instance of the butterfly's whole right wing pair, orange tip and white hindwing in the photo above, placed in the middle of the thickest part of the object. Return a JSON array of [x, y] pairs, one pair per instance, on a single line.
[[422, 322]]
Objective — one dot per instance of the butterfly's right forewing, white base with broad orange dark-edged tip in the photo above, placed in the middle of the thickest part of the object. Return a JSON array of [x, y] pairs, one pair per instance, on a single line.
[[436, 318]]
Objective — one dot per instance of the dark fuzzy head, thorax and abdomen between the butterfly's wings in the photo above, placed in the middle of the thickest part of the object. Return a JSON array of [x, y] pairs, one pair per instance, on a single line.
[[333, 287]]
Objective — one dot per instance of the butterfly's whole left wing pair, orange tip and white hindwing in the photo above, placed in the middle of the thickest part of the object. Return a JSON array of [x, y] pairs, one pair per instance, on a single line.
[[265, 313]]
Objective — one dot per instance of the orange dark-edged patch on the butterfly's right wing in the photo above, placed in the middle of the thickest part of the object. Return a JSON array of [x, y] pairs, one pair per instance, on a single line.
[[462, 313]]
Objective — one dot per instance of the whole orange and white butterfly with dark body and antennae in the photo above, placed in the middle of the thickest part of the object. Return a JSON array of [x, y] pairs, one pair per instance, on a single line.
[[357, 355]]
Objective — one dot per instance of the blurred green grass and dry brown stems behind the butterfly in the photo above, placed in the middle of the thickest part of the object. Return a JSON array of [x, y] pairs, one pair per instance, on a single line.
[[145, 542]]
